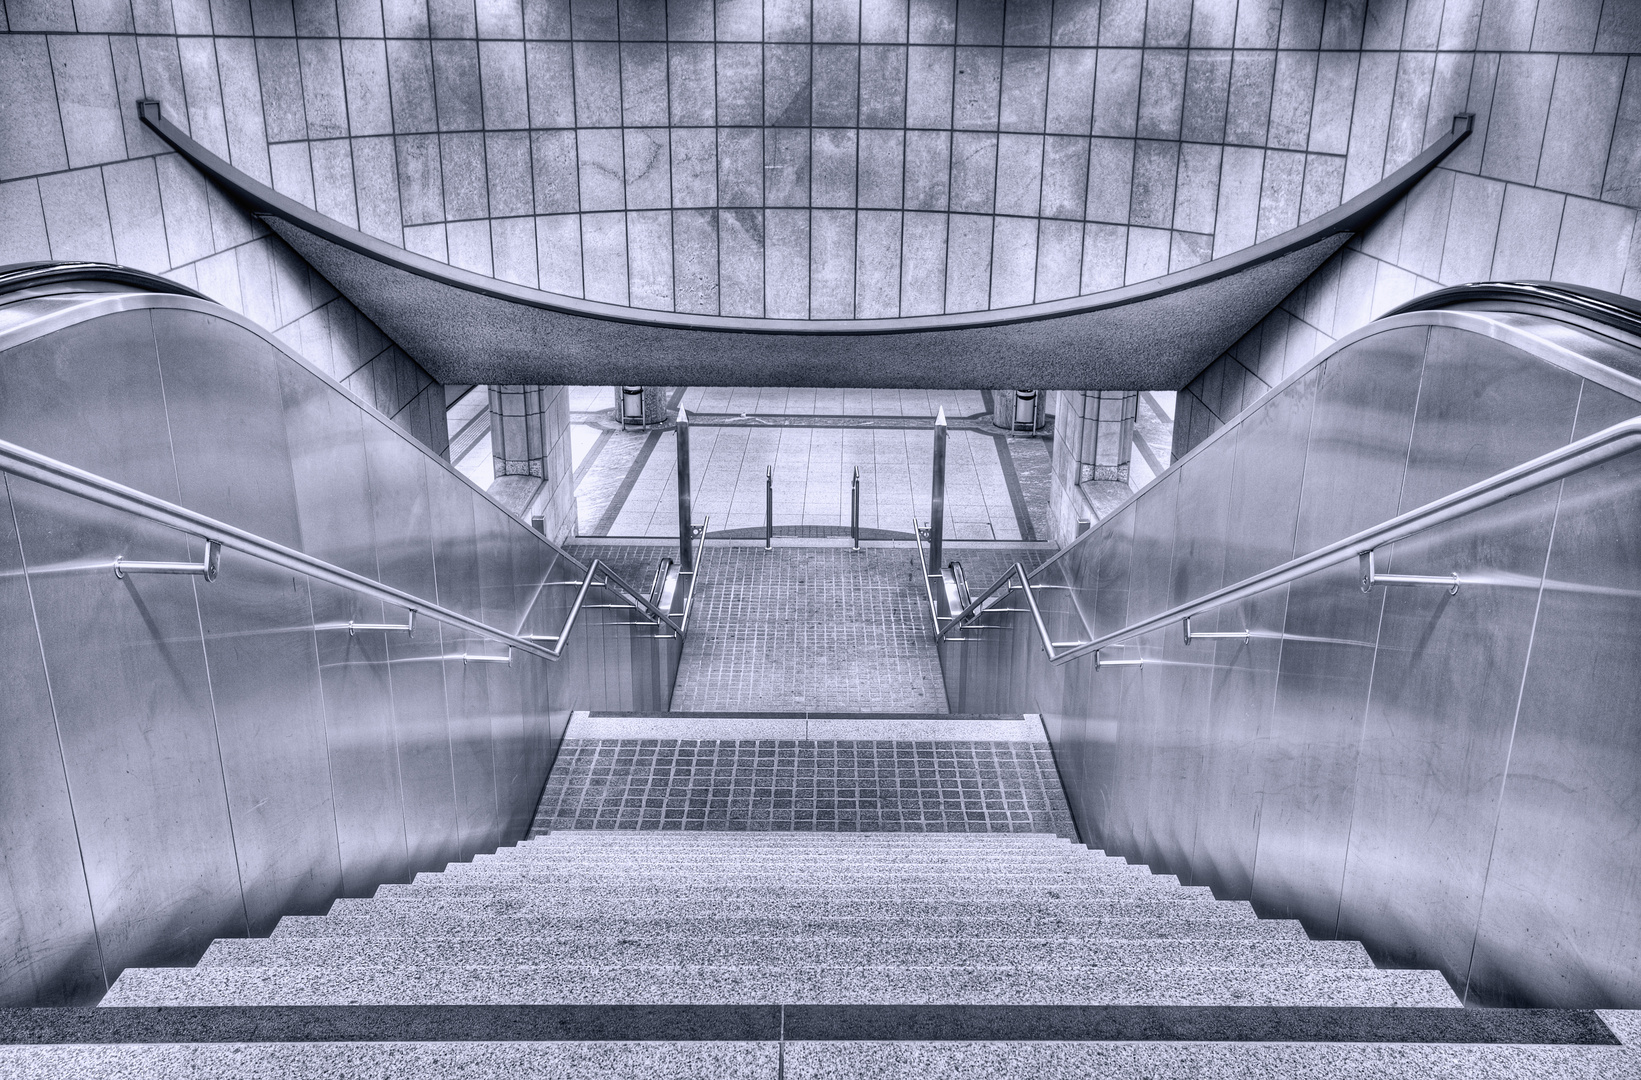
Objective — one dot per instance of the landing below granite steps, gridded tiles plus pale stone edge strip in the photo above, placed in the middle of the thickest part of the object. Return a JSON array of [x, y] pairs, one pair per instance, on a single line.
[[825, 774]]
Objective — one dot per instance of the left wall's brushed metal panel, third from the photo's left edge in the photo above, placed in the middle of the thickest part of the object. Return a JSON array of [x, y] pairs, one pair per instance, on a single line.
[[226, 408]]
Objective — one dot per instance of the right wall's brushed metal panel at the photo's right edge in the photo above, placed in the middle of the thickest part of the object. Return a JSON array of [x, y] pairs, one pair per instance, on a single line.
[[1561, 918]]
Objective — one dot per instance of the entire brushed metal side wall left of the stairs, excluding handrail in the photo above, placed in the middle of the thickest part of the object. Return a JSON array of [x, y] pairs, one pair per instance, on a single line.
[[188, 759]]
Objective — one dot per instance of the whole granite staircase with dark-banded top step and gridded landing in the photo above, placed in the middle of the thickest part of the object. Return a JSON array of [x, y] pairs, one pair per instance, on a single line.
[[912, 915]]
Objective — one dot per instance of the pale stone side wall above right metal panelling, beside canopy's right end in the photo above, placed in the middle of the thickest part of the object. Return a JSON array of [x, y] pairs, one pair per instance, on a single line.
[[1547, 188]]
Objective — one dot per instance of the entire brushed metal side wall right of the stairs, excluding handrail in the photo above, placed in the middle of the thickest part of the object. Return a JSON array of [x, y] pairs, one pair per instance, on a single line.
[[1453, 779]]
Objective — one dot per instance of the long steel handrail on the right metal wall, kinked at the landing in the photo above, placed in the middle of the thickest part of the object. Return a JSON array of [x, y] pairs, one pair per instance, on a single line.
[[1548, 469]]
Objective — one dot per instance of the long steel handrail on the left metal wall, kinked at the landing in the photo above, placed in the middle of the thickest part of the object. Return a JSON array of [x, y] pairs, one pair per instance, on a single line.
[[76, 482]]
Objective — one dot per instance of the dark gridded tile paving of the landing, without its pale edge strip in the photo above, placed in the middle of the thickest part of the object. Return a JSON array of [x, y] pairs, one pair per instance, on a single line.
[[803, 785]]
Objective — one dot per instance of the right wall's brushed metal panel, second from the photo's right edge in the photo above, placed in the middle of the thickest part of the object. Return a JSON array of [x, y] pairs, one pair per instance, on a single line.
[[1448, 670]]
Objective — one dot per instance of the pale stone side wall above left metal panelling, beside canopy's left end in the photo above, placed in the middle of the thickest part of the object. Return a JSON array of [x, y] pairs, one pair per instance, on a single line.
[[81, 178]]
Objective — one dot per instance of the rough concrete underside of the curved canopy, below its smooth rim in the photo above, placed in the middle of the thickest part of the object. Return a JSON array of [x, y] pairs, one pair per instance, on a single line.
[[1156, 341]]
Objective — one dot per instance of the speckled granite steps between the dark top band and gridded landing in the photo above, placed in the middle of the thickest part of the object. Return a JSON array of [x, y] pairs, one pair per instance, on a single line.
[[790, 918]]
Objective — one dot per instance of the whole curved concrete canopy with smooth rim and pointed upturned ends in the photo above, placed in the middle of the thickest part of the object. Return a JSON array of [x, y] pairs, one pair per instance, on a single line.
[[467, 327]]
